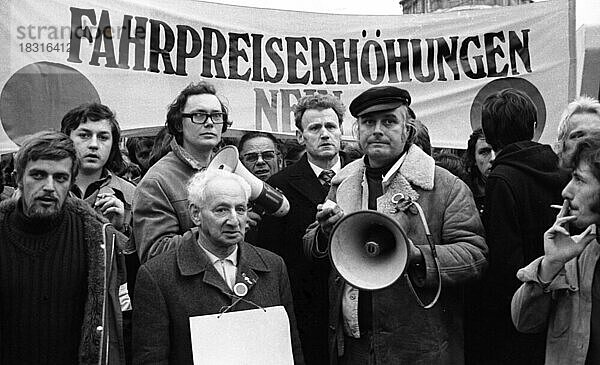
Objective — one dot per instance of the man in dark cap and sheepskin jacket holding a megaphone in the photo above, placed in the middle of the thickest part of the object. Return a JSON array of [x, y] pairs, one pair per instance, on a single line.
[[396, 178]]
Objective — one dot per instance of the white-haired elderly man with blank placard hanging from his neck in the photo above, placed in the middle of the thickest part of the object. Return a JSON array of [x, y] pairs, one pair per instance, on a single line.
[[212, 268]]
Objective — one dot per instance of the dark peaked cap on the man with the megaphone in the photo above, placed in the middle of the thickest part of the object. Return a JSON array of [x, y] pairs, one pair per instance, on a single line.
[[379, 98]]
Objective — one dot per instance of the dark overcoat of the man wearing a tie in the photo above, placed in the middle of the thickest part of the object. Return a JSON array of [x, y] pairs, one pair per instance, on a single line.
[[308, 278]]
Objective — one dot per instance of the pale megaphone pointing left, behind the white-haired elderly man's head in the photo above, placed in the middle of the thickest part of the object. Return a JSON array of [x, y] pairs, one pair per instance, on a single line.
[[271, 199]]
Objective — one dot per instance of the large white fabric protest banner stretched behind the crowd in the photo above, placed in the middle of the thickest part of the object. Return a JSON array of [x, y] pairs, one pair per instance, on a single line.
[[135, 56]]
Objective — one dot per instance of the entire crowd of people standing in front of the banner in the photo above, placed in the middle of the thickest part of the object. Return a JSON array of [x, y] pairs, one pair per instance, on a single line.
[[109, 246]]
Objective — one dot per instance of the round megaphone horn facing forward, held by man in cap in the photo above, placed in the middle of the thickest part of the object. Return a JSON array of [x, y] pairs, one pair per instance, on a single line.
[[368, 249]]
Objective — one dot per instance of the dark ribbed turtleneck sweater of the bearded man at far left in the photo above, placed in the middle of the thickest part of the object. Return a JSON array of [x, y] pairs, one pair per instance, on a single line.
[[43, 288]]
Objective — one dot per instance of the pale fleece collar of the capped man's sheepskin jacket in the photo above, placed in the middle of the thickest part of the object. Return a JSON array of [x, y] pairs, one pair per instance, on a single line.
[[418, 169]]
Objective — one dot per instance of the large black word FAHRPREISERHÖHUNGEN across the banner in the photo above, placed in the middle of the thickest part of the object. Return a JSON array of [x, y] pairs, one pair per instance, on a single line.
[[304, 60]]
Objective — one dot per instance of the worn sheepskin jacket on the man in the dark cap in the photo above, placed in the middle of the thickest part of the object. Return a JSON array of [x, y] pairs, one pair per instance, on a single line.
[[403, 332]]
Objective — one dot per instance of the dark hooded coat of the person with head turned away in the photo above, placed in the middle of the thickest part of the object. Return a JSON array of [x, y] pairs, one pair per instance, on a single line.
[[525, 180]]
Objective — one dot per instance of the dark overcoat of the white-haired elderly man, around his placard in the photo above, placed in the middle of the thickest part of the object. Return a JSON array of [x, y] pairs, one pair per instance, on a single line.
[[183, 283]]
